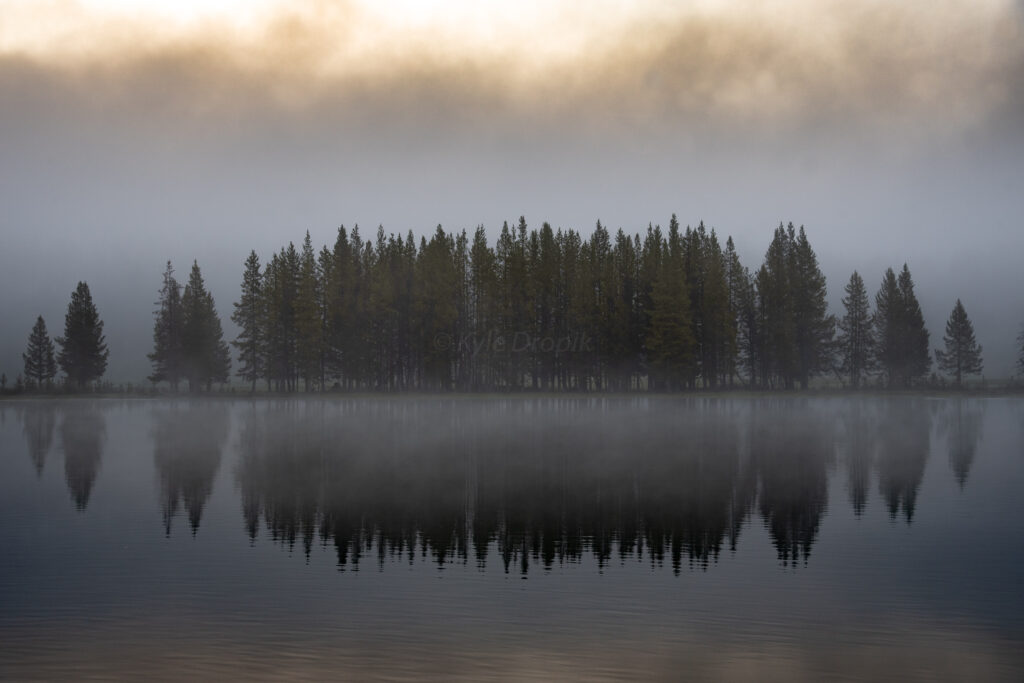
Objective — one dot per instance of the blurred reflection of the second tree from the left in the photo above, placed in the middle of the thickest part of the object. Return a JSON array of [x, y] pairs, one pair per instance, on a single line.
[[83, 430]]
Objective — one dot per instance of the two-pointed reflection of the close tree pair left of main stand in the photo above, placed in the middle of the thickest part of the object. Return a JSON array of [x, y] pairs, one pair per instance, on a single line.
[[189, 440]]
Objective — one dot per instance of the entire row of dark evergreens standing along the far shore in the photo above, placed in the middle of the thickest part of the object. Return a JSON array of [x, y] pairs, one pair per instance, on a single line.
[[543, 311]]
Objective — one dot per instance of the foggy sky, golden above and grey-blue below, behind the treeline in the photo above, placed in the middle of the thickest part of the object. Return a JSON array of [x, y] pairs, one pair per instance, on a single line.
[[202, 130]]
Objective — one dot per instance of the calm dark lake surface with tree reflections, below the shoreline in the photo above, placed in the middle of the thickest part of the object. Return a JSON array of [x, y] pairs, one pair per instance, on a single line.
[[514, 539]]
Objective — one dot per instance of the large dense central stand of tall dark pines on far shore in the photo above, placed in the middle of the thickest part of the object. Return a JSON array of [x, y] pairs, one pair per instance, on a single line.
[[540, 311]]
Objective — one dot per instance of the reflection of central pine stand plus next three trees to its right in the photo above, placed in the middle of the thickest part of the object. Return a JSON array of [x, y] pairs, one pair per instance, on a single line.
[[538, 484]]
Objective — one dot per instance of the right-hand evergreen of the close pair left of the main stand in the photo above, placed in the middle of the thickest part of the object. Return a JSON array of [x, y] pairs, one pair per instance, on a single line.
[[207, 358]]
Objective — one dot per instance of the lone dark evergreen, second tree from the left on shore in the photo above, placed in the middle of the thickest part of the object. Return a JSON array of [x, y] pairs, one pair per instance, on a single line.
[[83, 349]]
